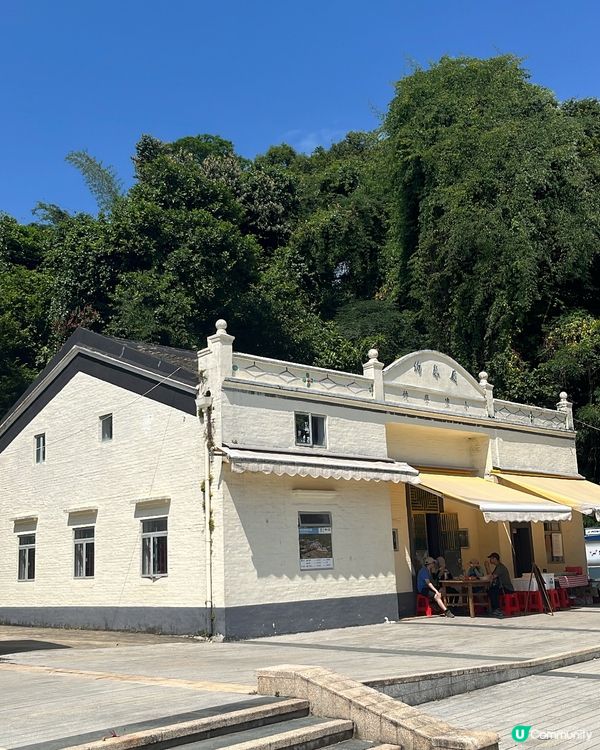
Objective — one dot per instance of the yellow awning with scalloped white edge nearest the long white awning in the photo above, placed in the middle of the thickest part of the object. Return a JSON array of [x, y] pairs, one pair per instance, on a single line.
[[495, 501]]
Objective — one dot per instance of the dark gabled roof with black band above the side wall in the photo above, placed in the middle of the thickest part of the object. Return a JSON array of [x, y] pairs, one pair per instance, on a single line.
[[161, 373]]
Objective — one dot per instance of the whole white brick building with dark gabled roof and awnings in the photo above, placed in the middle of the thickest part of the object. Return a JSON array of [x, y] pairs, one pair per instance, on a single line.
[[144, 487]]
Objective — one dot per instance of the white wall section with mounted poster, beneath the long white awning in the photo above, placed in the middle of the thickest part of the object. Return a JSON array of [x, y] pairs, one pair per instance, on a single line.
[[261, 539]]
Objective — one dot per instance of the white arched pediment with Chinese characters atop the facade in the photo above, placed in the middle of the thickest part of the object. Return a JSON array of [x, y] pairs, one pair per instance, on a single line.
[[433, 371]]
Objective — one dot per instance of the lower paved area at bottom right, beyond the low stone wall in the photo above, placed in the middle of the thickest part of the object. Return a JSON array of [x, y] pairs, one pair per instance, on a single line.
[[564, 700]]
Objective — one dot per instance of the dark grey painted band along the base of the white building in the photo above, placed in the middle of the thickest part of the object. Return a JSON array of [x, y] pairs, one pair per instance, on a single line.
[[232, 622]]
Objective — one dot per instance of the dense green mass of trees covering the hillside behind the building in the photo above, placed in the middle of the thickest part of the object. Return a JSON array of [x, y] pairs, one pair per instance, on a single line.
[[469, 222]]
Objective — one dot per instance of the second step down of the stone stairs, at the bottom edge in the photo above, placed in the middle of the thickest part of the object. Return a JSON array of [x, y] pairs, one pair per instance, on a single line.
[[306, 733]]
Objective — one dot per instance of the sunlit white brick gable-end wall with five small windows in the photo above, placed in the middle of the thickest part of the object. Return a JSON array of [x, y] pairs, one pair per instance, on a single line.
[[156, 452]]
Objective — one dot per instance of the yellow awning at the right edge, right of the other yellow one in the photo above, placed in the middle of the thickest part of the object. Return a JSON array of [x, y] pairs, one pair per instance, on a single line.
[[578, 494]]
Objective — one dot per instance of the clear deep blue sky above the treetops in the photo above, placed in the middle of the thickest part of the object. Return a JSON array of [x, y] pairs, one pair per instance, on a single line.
[[95, 74]]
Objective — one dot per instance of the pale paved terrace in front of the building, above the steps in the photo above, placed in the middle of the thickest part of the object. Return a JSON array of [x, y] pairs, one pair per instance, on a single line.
[[89, 680]]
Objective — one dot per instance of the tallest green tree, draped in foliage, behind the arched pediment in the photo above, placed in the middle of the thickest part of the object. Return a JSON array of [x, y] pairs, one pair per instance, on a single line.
[[494, 208]]
